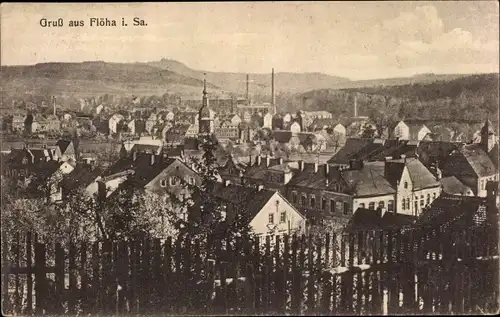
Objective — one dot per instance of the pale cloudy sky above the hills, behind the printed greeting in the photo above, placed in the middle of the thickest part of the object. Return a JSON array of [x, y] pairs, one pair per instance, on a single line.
[[358, 40]]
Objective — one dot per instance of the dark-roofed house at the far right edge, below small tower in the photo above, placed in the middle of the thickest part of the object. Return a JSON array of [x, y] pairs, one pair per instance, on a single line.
[[471, 165]]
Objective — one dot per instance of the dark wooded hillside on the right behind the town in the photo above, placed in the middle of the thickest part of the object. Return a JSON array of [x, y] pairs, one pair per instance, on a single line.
[[470, 98]]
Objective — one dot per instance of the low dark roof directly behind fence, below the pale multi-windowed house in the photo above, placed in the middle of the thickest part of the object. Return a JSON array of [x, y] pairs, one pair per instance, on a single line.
[[366, 219]]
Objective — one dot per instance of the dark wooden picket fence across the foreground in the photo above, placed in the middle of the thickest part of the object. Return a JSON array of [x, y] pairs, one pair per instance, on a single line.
[[438, 270]]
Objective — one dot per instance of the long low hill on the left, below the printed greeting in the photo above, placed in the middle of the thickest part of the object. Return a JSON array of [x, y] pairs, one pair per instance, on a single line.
[[94, 78]]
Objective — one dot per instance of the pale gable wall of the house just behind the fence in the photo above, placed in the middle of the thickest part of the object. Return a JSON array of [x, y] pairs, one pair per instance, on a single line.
[[294, 221]]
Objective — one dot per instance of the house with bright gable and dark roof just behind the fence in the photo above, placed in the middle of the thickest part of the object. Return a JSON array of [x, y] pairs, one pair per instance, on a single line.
[[268, 211]]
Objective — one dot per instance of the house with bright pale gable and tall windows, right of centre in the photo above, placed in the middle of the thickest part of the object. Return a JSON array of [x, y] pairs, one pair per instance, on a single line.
[[416, 187]]
